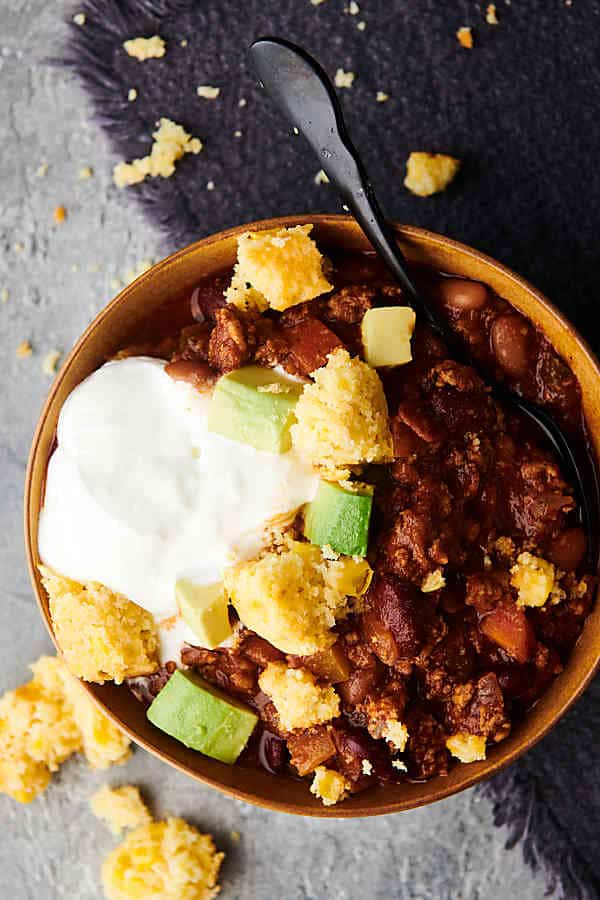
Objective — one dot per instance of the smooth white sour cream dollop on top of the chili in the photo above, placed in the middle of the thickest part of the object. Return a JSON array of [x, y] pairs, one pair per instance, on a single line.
[[139, 493]]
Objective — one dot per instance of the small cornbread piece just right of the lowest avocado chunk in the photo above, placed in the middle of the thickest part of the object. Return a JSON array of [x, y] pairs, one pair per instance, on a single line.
[[300, 702]]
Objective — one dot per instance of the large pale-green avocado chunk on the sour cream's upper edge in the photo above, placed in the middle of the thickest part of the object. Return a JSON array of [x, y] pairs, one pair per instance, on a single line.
[[255, 406]]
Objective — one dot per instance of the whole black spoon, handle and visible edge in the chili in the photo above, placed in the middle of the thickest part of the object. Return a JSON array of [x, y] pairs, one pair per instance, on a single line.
[[304, 94]]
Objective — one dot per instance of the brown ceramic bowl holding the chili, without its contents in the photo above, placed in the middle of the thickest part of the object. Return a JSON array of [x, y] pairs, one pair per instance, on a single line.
[[114, 327]]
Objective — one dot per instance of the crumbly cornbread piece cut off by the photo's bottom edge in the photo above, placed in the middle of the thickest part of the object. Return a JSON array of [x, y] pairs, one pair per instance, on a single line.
[[168, 860]]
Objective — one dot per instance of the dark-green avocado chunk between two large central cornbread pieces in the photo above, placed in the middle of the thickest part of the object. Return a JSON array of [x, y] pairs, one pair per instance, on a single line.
[[339, 517]]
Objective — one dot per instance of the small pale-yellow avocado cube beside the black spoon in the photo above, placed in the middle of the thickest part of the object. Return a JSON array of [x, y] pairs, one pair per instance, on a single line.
[[386, 332]]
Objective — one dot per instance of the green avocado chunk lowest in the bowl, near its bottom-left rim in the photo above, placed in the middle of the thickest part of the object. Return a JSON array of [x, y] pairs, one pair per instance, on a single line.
[[202, 717]]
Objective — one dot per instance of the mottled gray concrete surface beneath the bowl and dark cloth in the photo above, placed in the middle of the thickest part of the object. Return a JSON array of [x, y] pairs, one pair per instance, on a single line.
[[53, 847]]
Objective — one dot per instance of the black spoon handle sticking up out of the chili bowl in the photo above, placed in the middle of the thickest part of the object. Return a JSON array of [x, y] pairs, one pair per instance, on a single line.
[[304, 94]]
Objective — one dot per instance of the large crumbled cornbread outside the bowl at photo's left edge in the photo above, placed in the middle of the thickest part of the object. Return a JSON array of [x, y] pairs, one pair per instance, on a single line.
[[45, 721]]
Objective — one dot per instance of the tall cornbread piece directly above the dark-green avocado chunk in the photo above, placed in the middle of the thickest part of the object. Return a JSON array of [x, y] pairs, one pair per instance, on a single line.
[[343, 416]]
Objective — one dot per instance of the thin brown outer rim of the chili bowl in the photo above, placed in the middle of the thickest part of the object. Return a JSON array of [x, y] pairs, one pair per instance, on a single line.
[[491, 765]]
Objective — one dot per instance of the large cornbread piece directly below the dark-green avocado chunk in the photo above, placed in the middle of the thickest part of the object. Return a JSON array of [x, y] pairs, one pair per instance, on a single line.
[[289, 598]]
